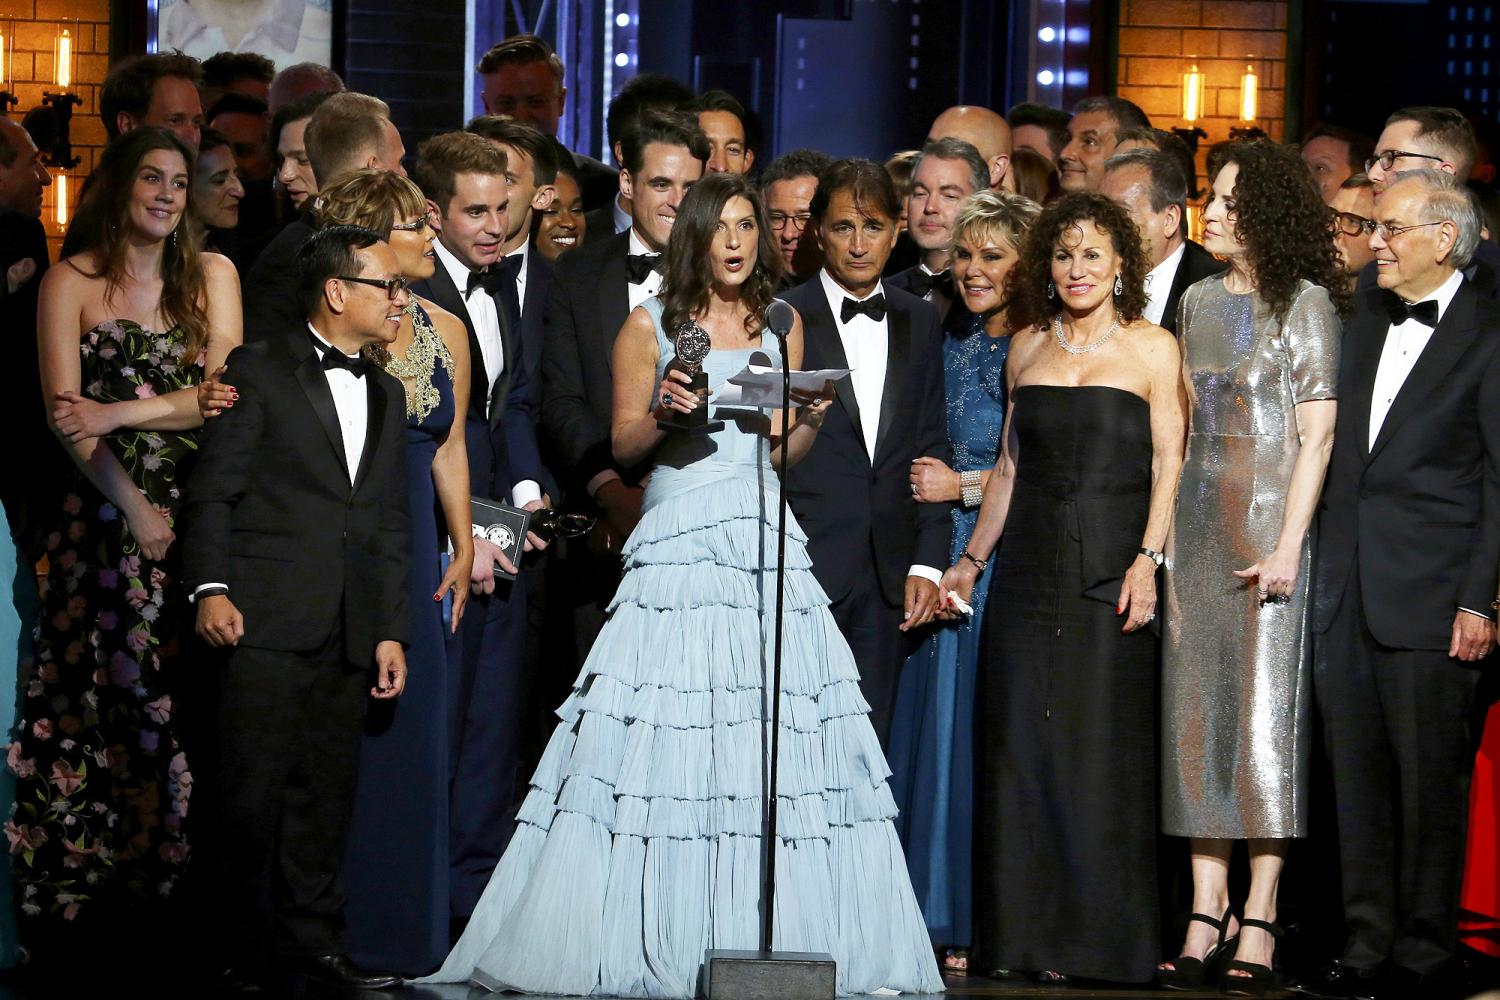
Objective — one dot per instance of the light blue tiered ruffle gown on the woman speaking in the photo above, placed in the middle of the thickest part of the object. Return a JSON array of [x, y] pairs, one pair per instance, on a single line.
[[640, 845]]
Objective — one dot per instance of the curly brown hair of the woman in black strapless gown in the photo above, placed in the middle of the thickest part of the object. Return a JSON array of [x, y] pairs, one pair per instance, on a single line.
[[1033, 275]]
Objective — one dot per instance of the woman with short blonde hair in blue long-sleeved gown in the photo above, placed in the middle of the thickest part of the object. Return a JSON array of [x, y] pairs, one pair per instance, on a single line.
[[932, 732]]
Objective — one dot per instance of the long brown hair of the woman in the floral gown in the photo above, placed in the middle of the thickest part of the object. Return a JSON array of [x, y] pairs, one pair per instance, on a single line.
[[104, 226]]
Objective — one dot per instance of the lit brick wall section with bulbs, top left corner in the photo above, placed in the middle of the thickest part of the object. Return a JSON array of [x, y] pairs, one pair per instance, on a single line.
[[34, 28]]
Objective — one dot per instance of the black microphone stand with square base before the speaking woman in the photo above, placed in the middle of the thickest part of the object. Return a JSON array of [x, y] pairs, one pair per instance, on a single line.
[[734, 975]]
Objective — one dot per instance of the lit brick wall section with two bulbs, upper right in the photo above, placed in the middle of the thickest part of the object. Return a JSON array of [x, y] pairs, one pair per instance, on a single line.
[[1160, 40]]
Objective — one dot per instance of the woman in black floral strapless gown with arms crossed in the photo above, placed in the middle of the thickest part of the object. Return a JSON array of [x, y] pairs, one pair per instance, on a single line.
[[128, 328]]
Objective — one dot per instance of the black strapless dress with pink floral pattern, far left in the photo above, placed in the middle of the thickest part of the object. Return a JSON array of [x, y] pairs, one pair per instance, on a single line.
[[103, 783]]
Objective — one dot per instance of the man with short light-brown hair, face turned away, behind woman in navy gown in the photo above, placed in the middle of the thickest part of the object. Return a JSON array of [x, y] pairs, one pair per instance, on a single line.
[[347, 133]]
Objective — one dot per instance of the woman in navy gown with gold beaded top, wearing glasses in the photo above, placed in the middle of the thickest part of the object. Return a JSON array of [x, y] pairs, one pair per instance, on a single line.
[[397, 860]]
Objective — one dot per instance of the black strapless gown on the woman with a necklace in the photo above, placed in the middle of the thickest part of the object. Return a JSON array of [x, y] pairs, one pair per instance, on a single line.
[[1066, 854]]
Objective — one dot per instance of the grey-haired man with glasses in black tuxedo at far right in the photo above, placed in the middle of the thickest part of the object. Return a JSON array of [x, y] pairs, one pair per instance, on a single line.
[[1409, 546]]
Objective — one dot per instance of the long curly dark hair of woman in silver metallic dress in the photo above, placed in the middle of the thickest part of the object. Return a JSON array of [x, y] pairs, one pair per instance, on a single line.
[[1285, 226]]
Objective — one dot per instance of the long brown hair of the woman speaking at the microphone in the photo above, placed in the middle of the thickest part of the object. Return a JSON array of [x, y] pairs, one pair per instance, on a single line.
[[689, 280]]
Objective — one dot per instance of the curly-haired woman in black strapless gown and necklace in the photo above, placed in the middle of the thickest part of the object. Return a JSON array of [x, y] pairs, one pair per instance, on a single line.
[[1066, 798]]
